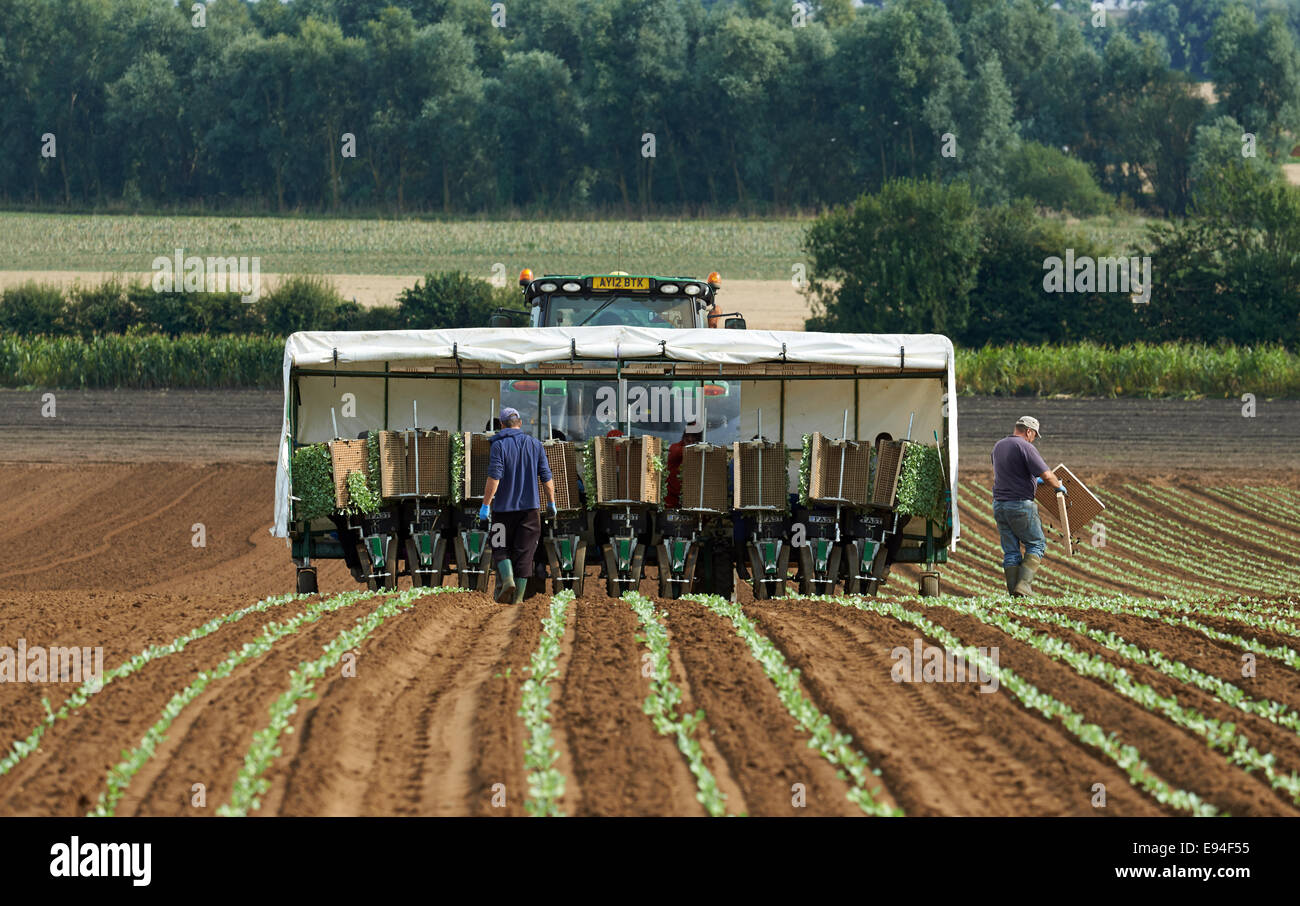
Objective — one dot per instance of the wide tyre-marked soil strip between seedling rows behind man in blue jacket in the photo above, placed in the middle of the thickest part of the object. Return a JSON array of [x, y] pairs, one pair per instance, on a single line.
[[427, 727]]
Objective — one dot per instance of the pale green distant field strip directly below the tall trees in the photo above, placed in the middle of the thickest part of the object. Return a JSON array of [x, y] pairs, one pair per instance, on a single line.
[[739, 250]]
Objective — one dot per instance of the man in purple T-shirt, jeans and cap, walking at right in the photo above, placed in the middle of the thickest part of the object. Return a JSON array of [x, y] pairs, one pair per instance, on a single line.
[[1017, 469]]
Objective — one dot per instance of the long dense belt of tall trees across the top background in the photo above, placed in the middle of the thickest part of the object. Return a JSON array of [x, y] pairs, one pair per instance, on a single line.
[[639, 106]]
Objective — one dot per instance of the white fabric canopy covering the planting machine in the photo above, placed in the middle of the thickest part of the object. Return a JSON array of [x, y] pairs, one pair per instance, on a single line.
[[531, 346]]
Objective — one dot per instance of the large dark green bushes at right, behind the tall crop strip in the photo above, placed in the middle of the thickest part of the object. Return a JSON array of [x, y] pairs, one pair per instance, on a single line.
[[922, 257]]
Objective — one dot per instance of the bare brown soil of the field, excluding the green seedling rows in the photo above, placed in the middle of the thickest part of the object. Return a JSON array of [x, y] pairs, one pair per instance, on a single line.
[[102, 556]]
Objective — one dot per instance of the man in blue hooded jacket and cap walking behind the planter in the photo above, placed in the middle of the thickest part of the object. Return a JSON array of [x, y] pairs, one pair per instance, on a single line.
[[515, 463]]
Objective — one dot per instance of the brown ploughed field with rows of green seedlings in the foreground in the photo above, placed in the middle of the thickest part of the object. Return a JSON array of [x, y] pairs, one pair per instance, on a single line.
[[1159, 674]]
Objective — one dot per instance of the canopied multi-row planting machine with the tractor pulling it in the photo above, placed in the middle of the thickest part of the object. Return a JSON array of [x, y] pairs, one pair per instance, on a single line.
[[618, 395]]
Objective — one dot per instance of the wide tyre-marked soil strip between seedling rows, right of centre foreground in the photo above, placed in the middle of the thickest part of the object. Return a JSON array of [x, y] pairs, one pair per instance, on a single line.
[[943, 749]]
